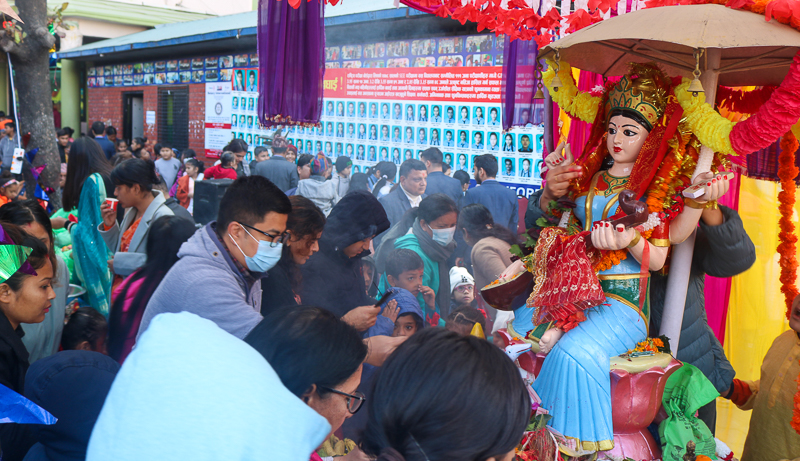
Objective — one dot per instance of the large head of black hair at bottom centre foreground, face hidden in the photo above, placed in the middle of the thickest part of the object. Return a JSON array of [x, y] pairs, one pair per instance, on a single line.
[[420, 392]]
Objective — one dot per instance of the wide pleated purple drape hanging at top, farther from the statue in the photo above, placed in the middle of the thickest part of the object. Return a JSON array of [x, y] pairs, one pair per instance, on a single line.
[[291, 57]]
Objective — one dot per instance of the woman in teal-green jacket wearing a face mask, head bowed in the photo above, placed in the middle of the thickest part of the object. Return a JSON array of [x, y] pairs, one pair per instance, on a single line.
[[427, 230]]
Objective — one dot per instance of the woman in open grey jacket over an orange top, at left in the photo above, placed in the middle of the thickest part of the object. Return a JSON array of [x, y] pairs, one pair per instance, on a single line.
[[133, 186]]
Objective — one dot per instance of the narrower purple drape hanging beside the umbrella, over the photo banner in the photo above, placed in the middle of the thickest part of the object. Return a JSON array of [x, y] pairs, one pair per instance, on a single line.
[[519, 83]]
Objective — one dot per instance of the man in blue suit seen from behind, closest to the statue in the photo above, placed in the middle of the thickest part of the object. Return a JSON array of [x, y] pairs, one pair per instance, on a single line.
[[499, 199]]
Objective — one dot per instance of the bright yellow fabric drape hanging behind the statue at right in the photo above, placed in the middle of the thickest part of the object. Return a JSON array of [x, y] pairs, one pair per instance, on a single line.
[[756, 312]]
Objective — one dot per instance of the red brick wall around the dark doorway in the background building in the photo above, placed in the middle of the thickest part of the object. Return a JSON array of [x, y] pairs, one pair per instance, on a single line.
[[105, 105]]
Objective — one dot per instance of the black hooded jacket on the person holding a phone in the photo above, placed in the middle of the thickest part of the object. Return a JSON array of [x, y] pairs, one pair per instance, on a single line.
[[331, 280]]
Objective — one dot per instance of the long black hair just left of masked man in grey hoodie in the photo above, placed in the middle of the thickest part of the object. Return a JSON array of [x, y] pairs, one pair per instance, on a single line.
[[166, 235]]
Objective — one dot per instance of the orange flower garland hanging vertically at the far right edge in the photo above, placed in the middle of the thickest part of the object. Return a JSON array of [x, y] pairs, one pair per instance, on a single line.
[[787, 248]]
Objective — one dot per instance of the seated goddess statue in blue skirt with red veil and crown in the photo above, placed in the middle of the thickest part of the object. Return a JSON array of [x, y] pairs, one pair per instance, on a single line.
[[591, 273]]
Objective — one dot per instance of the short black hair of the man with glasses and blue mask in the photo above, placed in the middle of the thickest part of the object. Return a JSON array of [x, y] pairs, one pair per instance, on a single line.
[[248, 200]]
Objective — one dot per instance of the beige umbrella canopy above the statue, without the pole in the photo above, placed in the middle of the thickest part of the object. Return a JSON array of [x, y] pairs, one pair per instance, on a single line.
[[750, 51]]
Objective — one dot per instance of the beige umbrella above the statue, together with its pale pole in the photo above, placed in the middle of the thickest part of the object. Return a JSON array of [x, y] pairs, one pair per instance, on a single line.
[[715, 44]]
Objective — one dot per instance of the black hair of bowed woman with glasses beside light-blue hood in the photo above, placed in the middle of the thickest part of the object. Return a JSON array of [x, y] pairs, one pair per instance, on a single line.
[[308, 346]]
